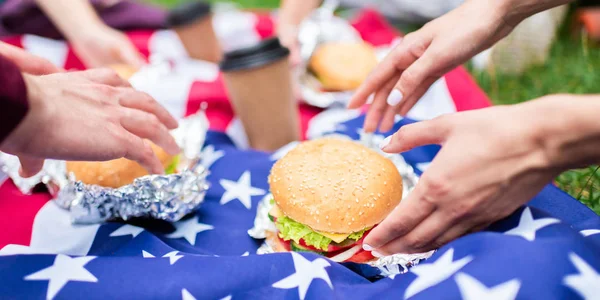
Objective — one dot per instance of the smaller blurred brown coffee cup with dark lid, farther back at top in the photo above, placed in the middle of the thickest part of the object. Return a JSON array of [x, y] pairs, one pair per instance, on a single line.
[[193, 24]]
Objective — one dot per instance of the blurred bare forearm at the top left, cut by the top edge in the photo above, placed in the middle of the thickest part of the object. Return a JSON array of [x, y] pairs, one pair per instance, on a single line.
[[72, 17]]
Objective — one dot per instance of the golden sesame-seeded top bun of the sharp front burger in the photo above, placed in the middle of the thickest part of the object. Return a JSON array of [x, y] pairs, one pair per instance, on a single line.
[[335, 185]]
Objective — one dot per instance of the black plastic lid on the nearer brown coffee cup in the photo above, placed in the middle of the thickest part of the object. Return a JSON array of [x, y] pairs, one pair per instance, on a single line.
[[264, 53]]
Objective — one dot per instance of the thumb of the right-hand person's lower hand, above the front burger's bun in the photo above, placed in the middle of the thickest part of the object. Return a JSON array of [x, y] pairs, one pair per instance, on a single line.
[[414, 135]]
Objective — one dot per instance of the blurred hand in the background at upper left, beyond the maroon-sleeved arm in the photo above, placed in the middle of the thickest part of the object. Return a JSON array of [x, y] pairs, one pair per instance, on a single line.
[[102, 46]]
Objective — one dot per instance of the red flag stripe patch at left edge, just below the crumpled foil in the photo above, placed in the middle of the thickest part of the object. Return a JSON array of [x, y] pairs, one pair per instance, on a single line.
[[18, 213]]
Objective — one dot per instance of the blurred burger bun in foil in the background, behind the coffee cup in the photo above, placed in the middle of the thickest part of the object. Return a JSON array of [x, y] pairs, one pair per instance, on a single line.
[[343, 66]]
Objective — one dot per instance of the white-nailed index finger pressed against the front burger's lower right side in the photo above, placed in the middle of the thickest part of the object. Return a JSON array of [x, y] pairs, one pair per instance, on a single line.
[[406, 216]]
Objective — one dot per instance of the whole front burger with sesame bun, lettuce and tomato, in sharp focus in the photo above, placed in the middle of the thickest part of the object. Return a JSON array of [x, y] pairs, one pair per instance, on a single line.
[[327, 195]]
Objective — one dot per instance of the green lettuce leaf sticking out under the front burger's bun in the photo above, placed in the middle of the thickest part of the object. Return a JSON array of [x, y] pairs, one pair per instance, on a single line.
[[292, 230]]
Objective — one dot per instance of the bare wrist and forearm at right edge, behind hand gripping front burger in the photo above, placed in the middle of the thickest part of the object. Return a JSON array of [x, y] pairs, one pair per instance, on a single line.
[[568, 127]]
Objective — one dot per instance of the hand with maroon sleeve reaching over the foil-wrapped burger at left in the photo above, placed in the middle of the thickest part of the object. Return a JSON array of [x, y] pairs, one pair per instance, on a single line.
[[90, 115]]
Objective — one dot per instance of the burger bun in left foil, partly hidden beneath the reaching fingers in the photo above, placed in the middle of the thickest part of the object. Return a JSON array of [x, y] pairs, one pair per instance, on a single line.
[[114, 173]]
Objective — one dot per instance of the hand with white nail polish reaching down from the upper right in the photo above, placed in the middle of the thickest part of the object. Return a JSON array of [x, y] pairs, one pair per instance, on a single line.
[[423, 56]]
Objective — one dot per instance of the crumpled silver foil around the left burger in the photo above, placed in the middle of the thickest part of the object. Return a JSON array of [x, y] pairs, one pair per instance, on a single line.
[[164, 197]]
